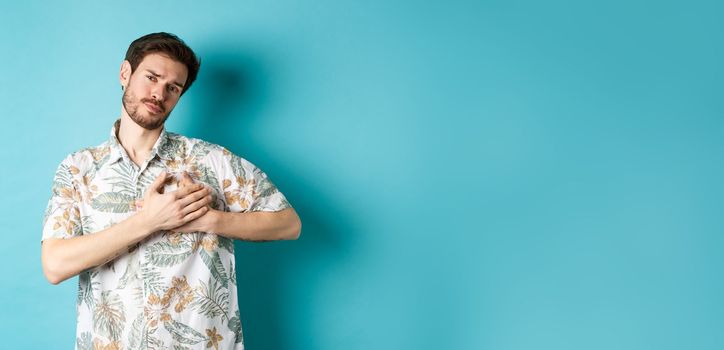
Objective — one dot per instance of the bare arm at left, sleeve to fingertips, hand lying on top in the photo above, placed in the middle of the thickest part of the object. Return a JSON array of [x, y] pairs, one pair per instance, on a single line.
[[65, 258]]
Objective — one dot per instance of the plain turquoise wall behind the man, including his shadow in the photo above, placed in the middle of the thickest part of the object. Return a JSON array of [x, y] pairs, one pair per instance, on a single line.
[[470, 174]]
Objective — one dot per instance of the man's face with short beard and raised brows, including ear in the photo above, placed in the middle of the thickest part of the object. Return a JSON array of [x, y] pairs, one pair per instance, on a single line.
[[153, 89]]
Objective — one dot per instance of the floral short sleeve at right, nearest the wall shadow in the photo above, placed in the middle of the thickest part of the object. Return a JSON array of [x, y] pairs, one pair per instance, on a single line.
[[247, 188]]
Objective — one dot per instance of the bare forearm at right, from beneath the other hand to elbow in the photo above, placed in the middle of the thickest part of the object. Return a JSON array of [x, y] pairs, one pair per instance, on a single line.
[[256, 226]]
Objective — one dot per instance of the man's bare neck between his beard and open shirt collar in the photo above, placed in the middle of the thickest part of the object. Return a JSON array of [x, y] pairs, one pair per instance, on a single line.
[[136, 140]]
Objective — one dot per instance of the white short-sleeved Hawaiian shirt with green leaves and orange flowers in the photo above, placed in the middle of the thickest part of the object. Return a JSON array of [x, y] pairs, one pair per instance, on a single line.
[[171, 290]]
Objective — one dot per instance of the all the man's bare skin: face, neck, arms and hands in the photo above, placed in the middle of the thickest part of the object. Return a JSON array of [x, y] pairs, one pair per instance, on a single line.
[[150, 94]]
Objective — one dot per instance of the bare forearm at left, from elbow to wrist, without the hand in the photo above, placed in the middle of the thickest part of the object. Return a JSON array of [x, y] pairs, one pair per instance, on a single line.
[[65, 258]]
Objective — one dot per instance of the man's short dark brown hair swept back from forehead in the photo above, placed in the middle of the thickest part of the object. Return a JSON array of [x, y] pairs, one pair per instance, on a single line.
[[169, 45]]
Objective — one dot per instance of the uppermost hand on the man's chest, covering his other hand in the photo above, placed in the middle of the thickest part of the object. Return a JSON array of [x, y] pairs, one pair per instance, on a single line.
[[164, 211]]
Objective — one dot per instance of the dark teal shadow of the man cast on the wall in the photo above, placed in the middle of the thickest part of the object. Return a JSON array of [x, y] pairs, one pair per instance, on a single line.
[[231, 96]]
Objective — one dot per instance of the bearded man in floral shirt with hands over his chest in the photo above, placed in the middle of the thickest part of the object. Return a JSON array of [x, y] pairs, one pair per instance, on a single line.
[[147, 219]]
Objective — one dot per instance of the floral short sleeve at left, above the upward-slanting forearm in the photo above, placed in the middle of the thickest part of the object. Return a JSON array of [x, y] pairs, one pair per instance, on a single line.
[[62, 215]]
